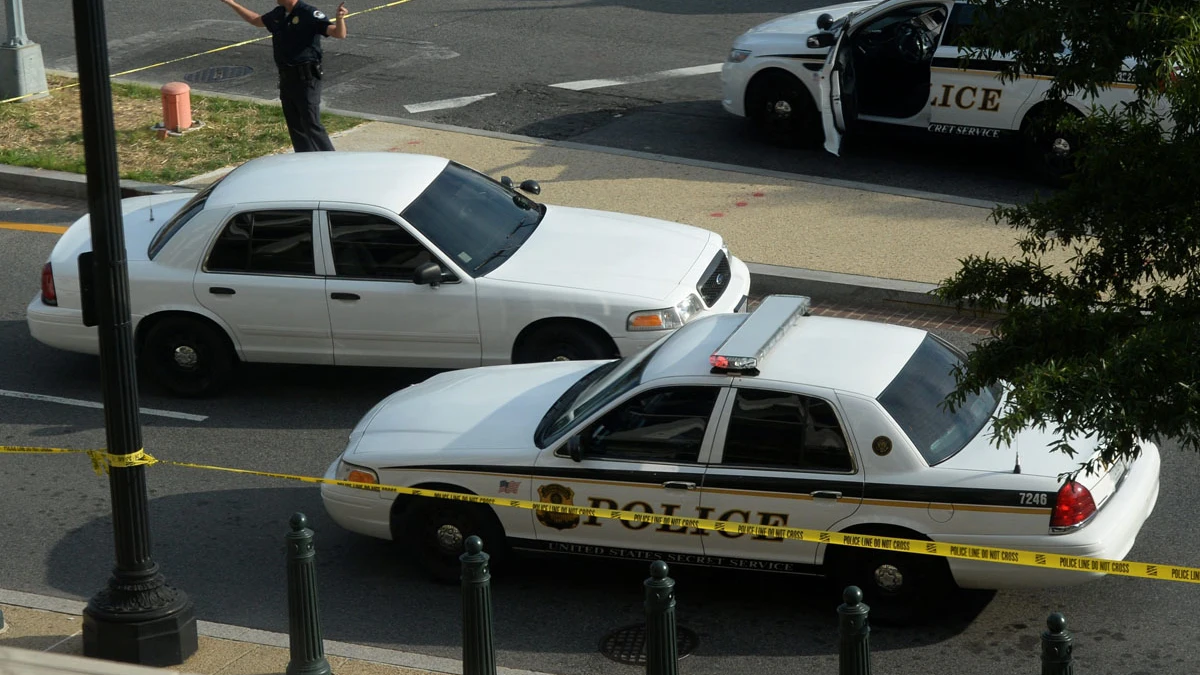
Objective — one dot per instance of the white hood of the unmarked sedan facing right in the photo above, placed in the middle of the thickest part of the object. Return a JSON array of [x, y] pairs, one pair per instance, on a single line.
[[608, 253]]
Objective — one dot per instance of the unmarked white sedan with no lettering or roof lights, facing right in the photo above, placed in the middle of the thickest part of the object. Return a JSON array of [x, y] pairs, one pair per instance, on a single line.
[[386, 260]]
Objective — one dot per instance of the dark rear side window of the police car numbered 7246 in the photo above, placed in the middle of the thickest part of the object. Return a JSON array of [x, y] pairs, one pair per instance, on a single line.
[[784, 431]]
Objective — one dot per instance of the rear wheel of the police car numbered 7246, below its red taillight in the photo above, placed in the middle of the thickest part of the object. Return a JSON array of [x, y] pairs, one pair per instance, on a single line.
[[897, 587]]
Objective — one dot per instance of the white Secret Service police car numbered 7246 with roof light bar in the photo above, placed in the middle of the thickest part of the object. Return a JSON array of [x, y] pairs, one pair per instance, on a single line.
[[773, 417]]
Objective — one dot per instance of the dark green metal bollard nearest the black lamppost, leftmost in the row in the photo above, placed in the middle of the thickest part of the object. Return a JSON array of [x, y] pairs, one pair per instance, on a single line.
[[308, 655]]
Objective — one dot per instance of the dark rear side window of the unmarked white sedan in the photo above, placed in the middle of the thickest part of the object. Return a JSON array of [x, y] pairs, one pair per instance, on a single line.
[[266, 243]]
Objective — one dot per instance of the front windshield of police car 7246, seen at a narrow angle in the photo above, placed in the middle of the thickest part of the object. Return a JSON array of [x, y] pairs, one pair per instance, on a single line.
[[595, 392]]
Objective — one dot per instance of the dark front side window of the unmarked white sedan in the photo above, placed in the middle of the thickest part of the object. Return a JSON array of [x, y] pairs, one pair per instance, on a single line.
[[373, 247]]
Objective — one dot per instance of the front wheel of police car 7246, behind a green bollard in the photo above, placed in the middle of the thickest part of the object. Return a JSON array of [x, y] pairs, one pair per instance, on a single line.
[[437, 531]]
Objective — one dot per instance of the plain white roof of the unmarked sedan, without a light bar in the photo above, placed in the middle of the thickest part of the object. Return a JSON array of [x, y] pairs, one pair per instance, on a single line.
[[388, 181]]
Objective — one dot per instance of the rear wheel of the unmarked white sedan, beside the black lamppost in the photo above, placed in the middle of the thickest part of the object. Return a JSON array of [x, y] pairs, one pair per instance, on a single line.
[[188, 357]]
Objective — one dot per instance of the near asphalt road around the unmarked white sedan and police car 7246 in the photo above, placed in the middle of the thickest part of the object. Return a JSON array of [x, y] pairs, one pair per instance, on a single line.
[[220, 537]]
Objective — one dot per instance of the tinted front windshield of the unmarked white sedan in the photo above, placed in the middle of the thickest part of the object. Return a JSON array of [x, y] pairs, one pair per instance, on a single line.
[[473, 219]]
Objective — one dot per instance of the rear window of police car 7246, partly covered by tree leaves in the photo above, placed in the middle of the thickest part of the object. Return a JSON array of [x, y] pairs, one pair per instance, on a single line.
[[915, 401]]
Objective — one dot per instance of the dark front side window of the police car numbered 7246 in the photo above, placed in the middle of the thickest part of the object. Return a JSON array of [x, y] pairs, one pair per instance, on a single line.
[[665, 425]]
